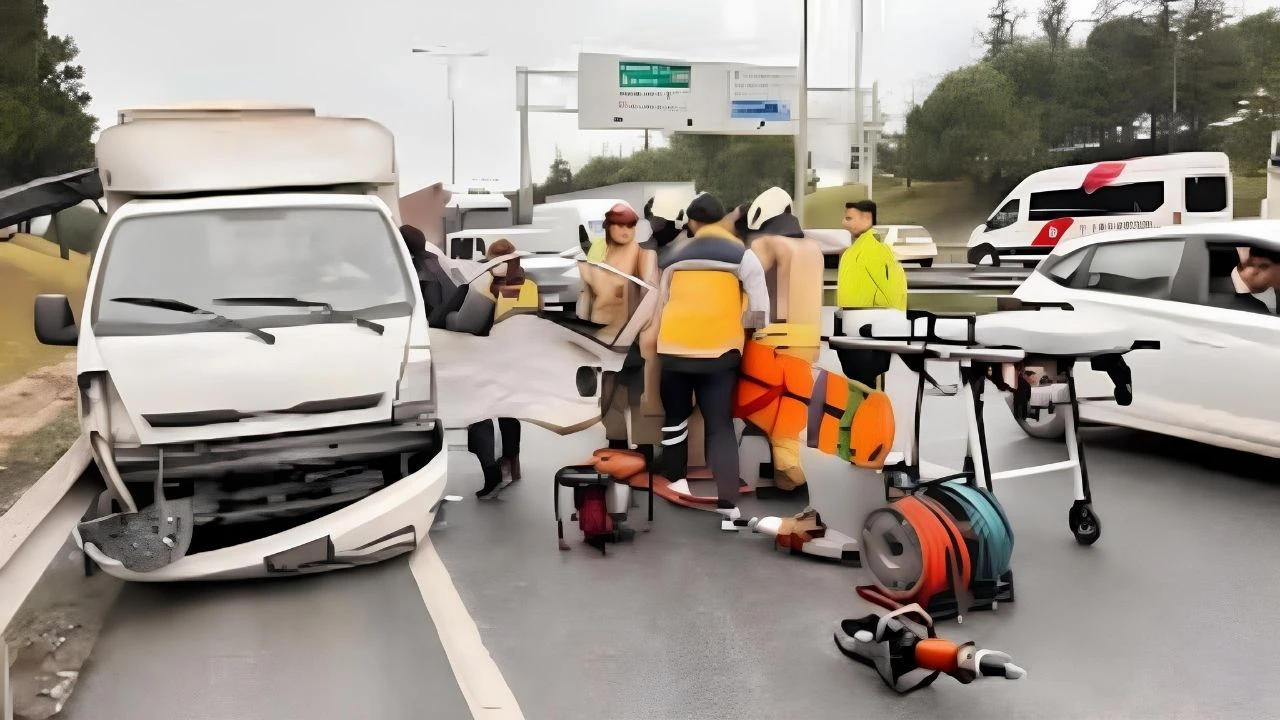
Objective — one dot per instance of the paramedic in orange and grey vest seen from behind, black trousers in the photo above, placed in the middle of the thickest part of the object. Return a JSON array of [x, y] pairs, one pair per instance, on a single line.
[[703, 327]]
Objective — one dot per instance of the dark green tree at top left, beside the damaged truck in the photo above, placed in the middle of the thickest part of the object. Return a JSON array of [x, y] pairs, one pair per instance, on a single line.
[[44, 125]]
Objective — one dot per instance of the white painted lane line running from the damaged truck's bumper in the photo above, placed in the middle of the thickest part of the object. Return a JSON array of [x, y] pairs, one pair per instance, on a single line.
[[479, 678]]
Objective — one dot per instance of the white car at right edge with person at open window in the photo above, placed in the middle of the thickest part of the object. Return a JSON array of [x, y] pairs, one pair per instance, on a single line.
[[1212, 381]]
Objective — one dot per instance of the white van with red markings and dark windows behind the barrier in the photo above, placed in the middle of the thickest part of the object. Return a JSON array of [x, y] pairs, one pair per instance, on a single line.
[[1076, 200]]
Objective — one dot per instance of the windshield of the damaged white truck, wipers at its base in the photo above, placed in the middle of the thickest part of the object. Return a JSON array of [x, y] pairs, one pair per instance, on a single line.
[[345, 258]]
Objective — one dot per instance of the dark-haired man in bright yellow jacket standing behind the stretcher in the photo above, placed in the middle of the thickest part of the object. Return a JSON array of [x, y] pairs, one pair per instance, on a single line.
[[870, 276]]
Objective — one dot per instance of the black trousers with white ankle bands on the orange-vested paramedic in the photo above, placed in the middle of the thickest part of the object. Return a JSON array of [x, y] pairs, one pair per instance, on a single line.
[[714, 389]]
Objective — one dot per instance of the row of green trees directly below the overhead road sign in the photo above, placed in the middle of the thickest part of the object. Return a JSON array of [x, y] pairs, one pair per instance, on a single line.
[[735, 170]]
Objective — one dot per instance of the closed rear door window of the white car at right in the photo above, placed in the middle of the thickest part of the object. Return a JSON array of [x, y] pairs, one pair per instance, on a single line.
[[1142, 270]]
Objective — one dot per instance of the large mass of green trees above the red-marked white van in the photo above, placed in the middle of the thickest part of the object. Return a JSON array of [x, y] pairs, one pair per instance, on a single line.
[[1040, 101]]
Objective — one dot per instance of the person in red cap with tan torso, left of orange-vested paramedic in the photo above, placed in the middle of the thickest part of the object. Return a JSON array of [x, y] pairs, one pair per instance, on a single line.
[[611, 300]]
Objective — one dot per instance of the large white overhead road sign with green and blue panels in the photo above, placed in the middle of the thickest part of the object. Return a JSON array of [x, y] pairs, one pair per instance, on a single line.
[[627, 93]]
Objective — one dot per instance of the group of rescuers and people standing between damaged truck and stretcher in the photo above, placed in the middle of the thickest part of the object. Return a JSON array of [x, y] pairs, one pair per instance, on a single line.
[[724, 276]]
